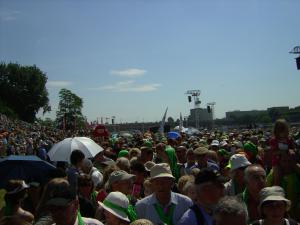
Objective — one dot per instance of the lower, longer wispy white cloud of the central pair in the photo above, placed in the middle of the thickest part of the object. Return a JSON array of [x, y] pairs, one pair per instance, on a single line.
[[129, 86]]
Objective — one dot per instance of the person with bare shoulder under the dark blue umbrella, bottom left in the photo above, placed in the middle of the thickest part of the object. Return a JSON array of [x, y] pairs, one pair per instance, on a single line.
[[15, 194]]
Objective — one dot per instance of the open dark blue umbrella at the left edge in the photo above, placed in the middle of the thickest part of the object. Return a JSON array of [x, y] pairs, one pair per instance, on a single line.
[[28, 168]]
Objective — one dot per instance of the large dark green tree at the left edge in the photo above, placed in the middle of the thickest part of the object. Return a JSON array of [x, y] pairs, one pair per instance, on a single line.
[[23, 90]]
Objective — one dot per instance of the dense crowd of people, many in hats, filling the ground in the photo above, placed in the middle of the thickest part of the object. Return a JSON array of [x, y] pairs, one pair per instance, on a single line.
[[236, 177]]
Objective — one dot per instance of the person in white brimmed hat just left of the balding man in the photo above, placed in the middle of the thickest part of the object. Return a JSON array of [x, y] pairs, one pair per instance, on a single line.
[[237, 164]]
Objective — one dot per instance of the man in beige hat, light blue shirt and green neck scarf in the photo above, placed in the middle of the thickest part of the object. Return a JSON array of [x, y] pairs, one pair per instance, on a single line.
[[163, 206]]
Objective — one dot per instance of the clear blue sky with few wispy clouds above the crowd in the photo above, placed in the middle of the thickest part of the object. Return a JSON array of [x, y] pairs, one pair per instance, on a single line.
[[133, 58]]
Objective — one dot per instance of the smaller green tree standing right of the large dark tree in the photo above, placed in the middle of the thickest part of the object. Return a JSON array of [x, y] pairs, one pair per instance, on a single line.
[[69, 109]]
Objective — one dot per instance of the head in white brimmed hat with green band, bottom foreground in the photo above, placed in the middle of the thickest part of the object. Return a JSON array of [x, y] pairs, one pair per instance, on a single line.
[[117, 209]]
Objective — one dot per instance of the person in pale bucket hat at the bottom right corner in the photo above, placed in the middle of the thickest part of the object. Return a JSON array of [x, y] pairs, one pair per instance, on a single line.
[[273, 207]]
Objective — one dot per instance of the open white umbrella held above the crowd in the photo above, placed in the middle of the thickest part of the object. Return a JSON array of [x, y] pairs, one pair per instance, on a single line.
[[61, 151]]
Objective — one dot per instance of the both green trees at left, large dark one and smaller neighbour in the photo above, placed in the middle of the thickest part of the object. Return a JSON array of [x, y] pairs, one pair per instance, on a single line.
[[23, 93]]
